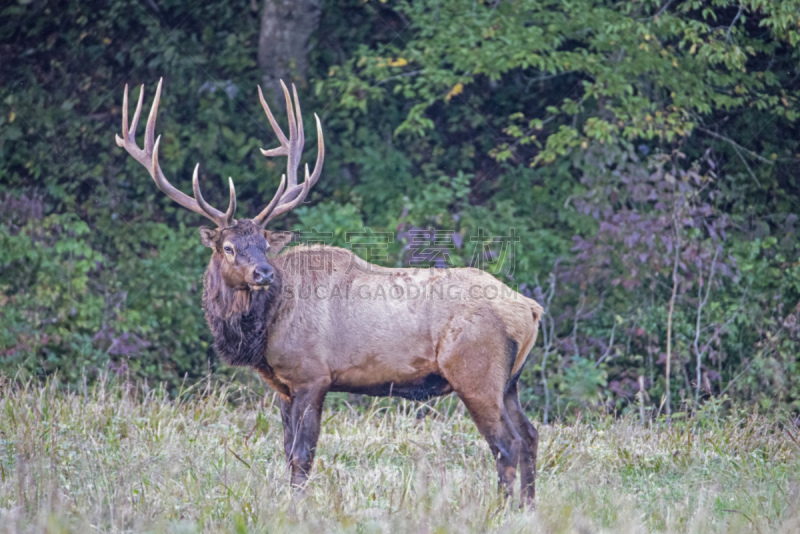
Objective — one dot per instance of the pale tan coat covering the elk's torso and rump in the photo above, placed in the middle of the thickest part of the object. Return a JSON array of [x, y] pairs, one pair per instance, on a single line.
[[365, 327]]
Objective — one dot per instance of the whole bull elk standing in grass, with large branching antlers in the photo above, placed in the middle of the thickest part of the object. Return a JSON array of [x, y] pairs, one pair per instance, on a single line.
[[319, 319]]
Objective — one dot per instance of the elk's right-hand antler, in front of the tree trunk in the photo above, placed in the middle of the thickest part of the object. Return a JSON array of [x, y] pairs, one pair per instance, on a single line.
[[293, 148]]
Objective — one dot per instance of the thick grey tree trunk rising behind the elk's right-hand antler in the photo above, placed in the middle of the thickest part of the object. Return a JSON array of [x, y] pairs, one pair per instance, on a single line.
[[283, 43]]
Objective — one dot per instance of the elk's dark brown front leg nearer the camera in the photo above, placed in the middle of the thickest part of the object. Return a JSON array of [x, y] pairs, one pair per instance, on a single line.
[[305, 411]]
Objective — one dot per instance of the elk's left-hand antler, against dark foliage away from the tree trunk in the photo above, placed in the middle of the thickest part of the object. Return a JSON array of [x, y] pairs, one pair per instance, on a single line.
[[148, 156]]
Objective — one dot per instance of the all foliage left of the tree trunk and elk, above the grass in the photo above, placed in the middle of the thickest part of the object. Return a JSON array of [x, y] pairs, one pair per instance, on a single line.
[[111, 279]]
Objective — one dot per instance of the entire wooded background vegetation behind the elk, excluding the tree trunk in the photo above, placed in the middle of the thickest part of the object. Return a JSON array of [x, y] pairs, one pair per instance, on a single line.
[[644, 152]]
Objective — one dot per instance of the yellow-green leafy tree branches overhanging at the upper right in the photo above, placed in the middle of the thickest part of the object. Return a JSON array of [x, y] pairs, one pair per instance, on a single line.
[[692, 67]]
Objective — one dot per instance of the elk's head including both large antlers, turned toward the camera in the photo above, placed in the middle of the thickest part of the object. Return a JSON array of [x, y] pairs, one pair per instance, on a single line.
[[241, 248]]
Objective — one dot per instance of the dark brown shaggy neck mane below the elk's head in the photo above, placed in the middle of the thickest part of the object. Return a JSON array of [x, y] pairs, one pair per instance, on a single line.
[[238, 317]]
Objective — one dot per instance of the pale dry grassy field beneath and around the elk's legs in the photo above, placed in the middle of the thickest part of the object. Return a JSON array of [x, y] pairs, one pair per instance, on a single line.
[[111, 459]]
